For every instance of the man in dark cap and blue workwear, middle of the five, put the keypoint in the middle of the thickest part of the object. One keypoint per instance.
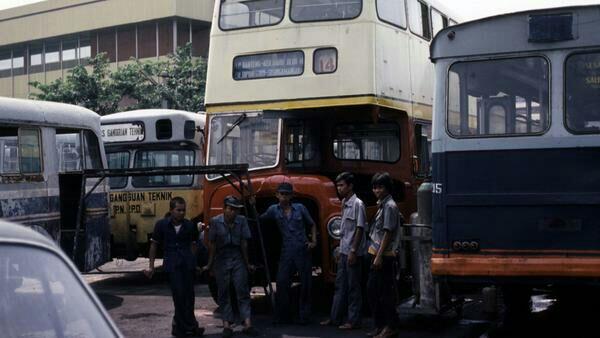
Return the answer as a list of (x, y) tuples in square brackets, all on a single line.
[(292, 219)]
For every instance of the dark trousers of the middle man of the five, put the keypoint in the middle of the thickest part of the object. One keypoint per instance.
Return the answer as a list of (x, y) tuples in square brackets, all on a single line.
[(292, 261)]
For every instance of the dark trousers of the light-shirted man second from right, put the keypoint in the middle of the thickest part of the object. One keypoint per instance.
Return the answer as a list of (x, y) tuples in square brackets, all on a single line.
[(347, 300)]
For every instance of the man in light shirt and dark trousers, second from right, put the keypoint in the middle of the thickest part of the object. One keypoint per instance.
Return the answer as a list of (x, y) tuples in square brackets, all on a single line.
[(347, 300)]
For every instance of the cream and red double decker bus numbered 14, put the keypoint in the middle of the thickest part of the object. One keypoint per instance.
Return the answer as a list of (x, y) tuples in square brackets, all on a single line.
[(302, 90)]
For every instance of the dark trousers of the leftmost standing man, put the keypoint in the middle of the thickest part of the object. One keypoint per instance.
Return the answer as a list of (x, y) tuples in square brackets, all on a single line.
[(181, 281)]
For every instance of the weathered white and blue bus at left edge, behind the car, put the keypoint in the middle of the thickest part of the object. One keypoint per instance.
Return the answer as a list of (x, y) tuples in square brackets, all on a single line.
[(38, 141)]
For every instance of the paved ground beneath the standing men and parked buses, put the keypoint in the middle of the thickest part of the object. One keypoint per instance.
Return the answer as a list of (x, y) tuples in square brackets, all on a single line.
[(143, 308)]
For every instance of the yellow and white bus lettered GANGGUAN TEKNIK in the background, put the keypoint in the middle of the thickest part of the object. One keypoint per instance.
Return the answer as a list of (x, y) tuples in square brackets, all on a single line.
[(148, 139)]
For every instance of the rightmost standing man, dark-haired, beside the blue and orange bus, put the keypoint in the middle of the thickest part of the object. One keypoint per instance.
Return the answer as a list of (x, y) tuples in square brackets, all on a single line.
[(382, 247)]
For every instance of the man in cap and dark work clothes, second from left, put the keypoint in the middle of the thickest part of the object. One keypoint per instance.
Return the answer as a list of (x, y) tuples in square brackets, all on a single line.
[(228, 237)]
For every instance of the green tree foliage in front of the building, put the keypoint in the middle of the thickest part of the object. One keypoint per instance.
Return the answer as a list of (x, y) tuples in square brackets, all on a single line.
[(179, 81)]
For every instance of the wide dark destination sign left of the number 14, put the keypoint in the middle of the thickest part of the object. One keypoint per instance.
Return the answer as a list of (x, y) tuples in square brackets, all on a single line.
[(260, 66)]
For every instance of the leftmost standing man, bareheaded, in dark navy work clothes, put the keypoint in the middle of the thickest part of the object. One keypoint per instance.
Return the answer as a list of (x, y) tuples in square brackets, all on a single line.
[(178, 237)]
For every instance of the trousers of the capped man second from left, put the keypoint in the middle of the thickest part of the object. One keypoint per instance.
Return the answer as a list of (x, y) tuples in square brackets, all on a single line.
[(237, 273)]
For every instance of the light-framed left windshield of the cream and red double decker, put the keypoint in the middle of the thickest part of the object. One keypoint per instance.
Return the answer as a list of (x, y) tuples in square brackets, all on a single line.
[(251, 140)]
